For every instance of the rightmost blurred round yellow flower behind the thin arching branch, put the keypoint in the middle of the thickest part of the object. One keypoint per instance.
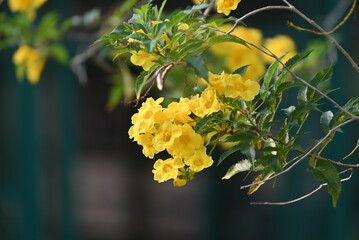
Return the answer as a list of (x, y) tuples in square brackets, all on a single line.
[(279, 45)]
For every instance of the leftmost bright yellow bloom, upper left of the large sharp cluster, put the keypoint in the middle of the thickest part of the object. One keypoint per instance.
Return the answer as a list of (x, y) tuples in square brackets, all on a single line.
[(149, 114)]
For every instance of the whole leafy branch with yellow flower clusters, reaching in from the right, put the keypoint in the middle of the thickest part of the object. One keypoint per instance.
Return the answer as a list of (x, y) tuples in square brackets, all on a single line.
[(237, 104)]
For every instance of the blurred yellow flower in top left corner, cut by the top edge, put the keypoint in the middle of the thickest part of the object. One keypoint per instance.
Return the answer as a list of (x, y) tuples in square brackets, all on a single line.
[(27, 6)]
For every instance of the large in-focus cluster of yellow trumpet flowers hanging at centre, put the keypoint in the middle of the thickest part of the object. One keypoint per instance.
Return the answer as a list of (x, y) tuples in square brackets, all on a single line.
[(156, 129)]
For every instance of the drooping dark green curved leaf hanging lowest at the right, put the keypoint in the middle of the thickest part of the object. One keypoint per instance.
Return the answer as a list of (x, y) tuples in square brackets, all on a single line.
[(325, 171)]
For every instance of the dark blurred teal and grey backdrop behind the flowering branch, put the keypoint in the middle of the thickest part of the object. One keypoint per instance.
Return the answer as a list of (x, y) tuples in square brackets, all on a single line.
[(69, 171)]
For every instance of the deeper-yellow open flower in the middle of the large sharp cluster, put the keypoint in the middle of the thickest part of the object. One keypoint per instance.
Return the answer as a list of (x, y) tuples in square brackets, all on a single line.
[(186, 143)]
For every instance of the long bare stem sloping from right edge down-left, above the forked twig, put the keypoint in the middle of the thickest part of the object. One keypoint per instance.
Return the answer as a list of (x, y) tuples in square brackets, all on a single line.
[(303, 157)]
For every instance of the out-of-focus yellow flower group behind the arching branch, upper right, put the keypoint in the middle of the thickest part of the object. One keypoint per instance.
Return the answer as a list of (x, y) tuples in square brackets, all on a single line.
[(238, 55)]
